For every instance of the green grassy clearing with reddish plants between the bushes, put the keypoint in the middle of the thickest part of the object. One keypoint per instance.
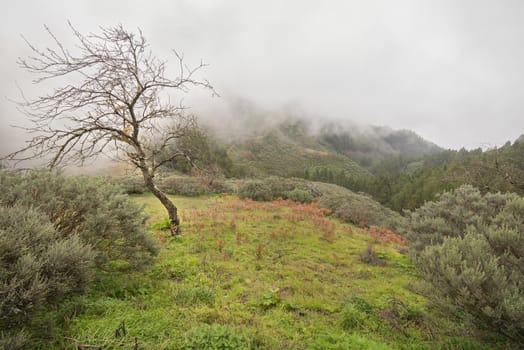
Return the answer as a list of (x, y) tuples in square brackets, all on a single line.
[(275, 275)]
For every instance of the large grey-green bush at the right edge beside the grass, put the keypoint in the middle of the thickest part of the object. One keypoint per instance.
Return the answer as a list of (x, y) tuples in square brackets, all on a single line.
[(476, 260)]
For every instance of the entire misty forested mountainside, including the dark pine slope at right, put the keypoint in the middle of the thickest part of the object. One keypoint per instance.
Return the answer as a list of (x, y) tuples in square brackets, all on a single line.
[(397, 167)]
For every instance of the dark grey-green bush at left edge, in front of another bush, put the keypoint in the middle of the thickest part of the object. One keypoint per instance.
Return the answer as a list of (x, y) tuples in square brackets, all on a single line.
[(37, 267)]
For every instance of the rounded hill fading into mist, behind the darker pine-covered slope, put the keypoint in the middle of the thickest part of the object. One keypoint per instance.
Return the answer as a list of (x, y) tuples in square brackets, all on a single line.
[(327, 152)]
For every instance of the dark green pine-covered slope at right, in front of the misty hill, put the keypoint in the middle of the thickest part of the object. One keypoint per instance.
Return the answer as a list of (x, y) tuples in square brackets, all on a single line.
[(401, 184)]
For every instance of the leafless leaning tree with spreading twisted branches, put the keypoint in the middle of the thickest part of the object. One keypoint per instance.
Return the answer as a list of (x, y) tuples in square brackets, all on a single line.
[(113, 98)]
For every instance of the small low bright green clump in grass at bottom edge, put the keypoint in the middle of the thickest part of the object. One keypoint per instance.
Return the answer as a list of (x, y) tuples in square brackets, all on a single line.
[(217, 337)]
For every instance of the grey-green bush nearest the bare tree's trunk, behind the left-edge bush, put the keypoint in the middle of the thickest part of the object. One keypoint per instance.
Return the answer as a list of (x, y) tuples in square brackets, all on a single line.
[(95, 210)]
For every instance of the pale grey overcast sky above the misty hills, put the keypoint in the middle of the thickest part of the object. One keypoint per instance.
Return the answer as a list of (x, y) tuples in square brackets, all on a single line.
[(452, 71)]
